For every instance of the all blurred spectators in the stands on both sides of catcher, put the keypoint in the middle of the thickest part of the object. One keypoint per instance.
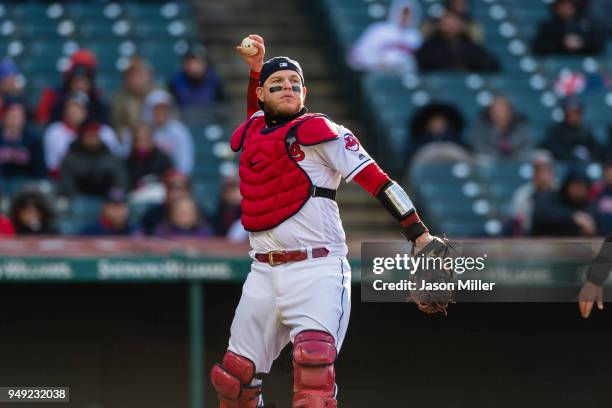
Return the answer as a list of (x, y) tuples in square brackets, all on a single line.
[(131, 145)]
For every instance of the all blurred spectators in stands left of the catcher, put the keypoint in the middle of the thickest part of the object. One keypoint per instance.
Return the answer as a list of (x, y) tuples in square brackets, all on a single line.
[(121, 147)]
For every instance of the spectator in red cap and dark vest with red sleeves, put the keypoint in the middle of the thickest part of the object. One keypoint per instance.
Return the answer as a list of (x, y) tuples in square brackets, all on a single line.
[(80, 76)]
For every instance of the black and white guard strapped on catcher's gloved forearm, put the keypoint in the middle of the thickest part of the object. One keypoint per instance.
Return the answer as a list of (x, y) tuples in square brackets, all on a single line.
[(393, 197)]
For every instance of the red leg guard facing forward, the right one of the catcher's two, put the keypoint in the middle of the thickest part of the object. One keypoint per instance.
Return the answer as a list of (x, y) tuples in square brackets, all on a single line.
[(314, 377)]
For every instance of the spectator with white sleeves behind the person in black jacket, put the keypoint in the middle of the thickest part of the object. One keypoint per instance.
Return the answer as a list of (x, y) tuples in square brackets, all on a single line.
[(59, 135)]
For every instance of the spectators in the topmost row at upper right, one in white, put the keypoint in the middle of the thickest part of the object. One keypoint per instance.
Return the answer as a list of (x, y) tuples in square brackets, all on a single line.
[(453, 41)]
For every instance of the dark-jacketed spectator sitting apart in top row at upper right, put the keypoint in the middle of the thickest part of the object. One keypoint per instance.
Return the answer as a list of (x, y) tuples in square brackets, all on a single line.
[(566, 32)]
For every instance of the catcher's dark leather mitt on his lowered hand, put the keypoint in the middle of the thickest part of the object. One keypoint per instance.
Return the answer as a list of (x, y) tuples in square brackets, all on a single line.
[(432, 294)]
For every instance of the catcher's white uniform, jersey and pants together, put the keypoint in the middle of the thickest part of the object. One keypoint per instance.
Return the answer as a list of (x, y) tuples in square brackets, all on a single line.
[(278, 302)]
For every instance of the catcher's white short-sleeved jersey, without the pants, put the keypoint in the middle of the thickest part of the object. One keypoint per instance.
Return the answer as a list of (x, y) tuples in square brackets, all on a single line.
[(318, 222)]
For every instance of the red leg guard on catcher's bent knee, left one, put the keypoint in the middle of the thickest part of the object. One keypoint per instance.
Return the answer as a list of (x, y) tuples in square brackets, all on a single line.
[(232, 380)]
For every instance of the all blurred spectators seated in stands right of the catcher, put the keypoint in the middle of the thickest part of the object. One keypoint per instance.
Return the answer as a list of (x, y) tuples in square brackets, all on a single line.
[(554, 203)]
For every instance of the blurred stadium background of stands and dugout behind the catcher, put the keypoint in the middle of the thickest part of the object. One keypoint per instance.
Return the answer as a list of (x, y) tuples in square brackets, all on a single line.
[(115, 118)]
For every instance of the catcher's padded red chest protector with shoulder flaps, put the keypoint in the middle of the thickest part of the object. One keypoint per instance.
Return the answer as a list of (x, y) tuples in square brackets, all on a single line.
[(273, 186)]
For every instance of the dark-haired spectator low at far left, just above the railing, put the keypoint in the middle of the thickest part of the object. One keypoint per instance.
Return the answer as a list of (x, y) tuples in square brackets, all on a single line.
[(32, 214)]
